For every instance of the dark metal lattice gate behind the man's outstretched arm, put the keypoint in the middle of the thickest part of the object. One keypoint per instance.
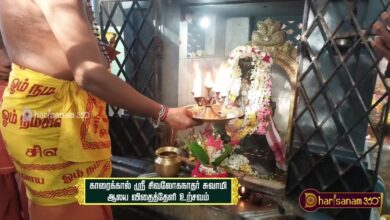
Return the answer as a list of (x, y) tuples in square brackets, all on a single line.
[(135, 23)]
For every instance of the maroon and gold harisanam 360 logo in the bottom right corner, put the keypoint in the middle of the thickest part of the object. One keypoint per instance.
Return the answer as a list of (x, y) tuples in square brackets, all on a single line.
[(311, 200)]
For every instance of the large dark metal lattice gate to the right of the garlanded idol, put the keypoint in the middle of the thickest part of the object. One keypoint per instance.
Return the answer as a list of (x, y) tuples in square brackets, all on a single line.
[(336, 80)]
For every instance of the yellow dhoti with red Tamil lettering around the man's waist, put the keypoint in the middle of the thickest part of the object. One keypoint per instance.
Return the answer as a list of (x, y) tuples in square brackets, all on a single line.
[(55, 133)]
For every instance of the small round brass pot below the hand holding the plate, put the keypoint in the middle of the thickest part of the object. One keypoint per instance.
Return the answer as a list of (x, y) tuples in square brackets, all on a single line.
[(167, 162)]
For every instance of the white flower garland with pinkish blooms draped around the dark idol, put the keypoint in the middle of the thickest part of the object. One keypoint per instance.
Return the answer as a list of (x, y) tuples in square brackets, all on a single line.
[(258, 110)]
